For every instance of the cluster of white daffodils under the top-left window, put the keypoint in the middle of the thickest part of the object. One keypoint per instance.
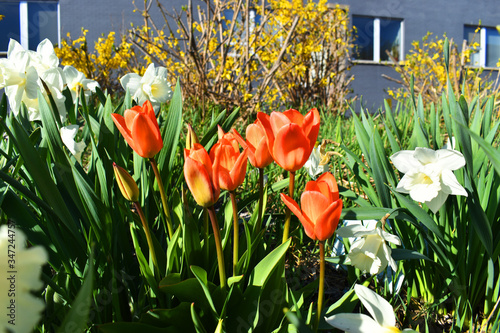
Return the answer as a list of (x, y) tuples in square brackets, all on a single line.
[(22, 73)]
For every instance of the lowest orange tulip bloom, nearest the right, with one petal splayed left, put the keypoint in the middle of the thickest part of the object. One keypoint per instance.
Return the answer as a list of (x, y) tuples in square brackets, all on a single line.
[(320, 207)]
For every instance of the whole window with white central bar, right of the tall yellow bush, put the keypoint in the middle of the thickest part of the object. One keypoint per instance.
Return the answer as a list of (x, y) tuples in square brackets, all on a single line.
[(378, 36)]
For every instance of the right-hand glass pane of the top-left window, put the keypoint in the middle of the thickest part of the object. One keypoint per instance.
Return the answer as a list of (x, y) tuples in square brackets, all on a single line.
[(42, 23)]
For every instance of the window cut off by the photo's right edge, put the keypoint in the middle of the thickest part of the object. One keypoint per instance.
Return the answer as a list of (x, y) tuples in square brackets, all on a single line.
[(488, 45)]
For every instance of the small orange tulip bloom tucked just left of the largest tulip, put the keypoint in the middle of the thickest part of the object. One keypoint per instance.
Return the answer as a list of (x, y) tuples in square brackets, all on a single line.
[(258, 153)]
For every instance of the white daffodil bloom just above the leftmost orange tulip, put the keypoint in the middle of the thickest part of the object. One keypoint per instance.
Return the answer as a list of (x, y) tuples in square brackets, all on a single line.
[(153, 86)]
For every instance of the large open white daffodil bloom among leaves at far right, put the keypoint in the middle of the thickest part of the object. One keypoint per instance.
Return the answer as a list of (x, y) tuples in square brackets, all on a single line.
[(429, 175)]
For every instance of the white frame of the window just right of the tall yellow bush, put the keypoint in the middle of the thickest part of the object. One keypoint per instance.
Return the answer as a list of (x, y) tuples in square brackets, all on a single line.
[(377, 39)]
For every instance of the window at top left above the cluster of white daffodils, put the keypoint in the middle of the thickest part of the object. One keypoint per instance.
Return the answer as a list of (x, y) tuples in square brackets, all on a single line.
[(28, 22)]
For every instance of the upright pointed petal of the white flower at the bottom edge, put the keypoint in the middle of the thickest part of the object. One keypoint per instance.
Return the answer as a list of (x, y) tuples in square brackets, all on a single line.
[(378, 307)]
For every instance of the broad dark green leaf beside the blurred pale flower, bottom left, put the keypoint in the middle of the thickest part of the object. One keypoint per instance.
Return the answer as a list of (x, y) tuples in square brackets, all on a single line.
[(77, 318)]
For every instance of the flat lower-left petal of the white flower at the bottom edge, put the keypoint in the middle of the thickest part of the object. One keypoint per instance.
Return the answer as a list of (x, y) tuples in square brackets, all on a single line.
[(355, 323)]
